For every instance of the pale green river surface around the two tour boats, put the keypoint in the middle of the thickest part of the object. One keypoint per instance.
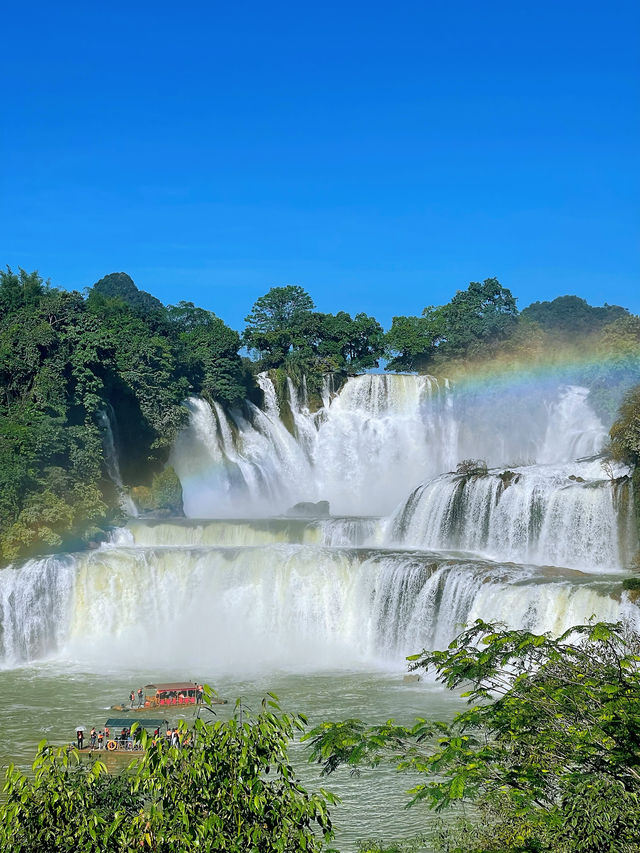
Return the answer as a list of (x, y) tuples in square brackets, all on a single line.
[(49, 700)]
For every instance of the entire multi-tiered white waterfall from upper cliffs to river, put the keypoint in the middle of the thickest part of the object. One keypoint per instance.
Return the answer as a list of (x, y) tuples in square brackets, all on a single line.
[(234, 587)]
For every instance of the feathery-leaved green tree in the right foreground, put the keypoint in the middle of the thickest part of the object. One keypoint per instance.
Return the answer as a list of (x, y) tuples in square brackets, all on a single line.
[(548, 753)]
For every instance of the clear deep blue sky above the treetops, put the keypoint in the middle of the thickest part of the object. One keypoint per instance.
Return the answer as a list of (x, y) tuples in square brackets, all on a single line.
[(380, 154)]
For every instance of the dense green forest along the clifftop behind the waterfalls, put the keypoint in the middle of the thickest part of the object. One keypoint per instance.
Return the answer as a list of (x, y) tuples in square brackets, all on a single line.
[(72, 362)]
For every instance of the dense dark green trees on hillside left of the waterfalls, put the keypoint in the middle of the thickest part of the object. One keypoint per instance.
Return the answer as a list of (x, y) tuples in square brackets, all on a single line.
[(63, 360)]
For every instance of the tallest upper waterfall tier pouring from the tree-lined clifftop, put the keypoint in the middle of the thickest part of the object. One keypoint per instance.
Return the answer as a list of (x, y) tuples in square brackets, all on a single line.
[(369, 445)]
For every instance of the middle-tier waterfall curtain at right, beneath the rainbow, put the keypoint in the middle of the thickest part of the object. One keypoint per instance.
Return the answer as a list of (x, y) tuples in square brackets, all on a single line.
[(559, 515)]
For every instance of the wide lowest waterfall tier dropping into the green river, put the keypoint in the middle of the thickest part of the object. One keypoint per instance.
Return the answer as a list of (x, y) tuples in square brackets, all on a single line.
[(283, 605)]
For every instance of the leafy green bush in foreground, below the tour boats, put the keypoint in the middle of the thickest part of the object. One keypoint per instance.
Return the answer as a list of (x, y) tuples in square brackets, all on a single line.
[(230, 787)]
